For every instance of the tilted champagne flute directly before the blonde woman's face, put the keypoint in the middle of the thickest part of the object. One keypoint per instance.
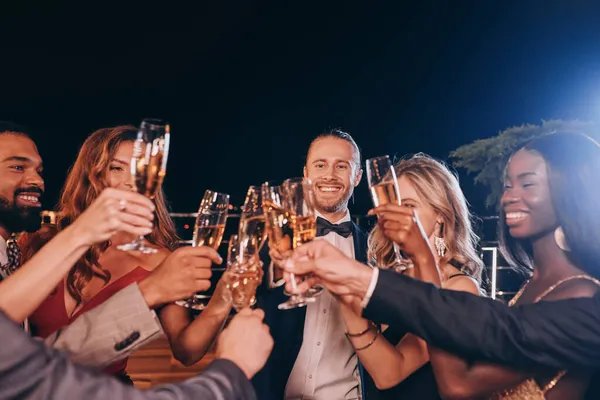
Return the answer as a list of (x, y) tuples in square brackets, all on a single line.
[(384, 189)]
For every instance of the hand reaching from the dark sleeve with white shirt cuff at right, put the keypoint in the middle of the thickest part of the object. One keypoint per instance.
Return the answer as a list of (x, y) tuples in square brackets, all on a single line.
[(330, 267)]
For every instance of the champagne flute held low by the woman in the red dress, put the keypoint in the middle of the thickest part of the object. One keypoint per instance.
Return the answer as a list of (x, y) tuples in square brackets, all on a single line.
[(244, 271)]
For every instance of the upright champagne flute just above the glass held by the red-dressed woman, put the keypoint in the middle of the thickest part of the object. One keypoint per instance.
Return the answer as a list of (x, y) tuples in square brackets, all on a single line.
[(252, 221)]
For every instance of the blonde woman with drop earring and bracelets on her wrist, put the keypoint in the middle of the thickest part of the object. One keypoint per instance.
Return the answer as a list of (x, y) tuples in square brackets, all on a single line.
[(397, 362)]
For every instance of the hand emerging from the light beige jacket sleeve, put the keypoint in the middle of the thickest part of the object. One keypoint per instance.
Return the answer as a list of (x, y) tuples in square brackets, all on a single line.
[(185, 272)]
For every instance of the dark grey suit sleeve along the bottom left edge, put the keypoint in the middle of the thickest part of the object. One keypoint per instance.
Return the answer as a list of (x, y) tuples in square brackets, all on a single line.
[(30, 370)]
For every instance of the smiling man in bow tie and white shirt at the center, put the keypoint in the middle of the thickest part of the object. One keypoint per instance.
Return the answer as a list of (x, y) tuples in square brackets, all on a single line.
[(311, 356)]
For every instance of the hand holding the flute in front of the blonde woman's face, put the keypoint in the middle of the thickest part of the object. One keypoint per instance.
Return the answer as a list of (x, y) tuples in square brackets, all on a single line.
[(401, 225)]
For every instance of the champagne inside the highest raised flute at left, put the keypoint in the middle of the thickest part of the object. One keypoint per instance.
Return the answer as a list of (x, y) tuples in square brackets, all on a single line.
[(149, 165)]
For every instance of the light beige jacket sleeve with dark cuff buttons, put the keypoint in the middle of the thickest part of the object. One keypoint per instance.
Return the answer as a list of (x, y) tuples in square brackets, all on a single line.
[(109, 332)]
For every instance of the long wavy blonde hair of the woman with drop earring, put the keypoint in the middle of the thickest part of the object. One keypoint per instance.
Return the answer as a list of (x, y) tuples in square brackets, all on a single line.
[(439, 187)]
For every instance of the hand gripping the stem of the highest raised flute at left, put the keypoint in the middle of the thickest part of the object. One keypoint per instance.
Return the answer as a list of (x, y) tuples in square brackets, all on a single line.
[(114, 211)]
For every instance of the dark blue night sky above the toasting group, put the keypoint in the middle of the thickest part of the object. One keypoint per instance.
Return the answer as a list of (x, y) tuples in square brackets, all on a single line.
[(246, 85)]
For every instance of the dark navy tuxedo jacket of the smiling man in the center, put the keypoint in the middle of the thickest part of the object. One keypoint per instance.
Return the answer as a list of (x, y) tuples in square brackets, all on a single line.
[(287, 329)]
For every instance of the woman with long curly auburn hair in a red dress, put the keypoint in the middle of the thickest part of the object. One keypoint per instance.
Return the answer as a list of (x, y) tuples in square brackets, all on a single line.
[(103, 161)]
